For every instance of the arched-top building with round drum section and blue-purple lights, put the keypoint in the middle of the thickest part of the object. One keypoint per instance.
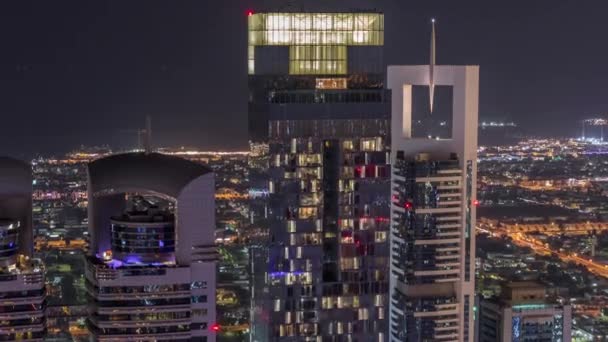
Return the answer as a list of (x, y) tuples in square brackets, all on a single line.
[(151, 271)]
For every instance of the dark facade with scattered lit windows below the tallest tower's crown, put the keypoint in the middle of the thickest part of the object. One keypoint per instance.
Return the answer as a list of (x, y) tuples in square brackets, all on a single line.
[(329, 223)]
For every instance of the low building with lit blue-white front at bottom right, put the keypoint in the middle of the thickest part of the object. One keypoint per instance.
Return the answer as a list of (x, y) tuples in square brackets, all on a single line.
[(522, 313)]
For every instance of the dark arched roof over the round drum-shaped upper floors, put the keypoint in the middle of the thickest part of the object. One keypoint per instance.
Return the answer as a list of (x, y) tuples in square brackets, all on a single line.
[(156, 172)]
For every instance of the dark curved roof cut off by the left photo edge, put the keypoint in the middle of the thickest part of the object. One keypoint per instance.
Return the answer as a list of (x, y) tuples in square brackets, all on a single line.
[(15, 175)]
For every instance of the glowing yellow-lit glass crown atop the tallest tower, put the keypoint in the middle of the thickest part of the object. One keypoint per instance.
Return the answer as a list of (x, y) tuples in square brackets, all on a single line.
[(317, 41)]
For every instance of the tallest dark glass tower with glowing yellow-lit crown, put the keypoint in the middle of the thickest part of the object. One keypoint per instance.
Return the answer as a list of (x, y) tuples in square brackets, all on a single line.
[(318, 101)]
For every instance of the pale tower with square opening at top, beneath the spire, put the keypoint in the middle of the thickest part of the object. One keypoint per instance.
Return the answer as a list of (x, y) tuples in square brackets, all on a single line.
[(433, 210)]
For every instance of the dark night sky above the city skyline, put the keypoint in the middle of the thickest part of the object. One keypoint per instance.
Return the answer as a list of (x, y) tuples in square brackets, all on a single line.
[(83, 72)]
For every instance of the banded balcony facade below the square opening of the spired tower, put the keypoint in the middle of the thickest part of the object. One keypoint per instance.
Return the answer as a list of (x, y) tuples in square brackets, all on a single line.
[(426, 248)]
